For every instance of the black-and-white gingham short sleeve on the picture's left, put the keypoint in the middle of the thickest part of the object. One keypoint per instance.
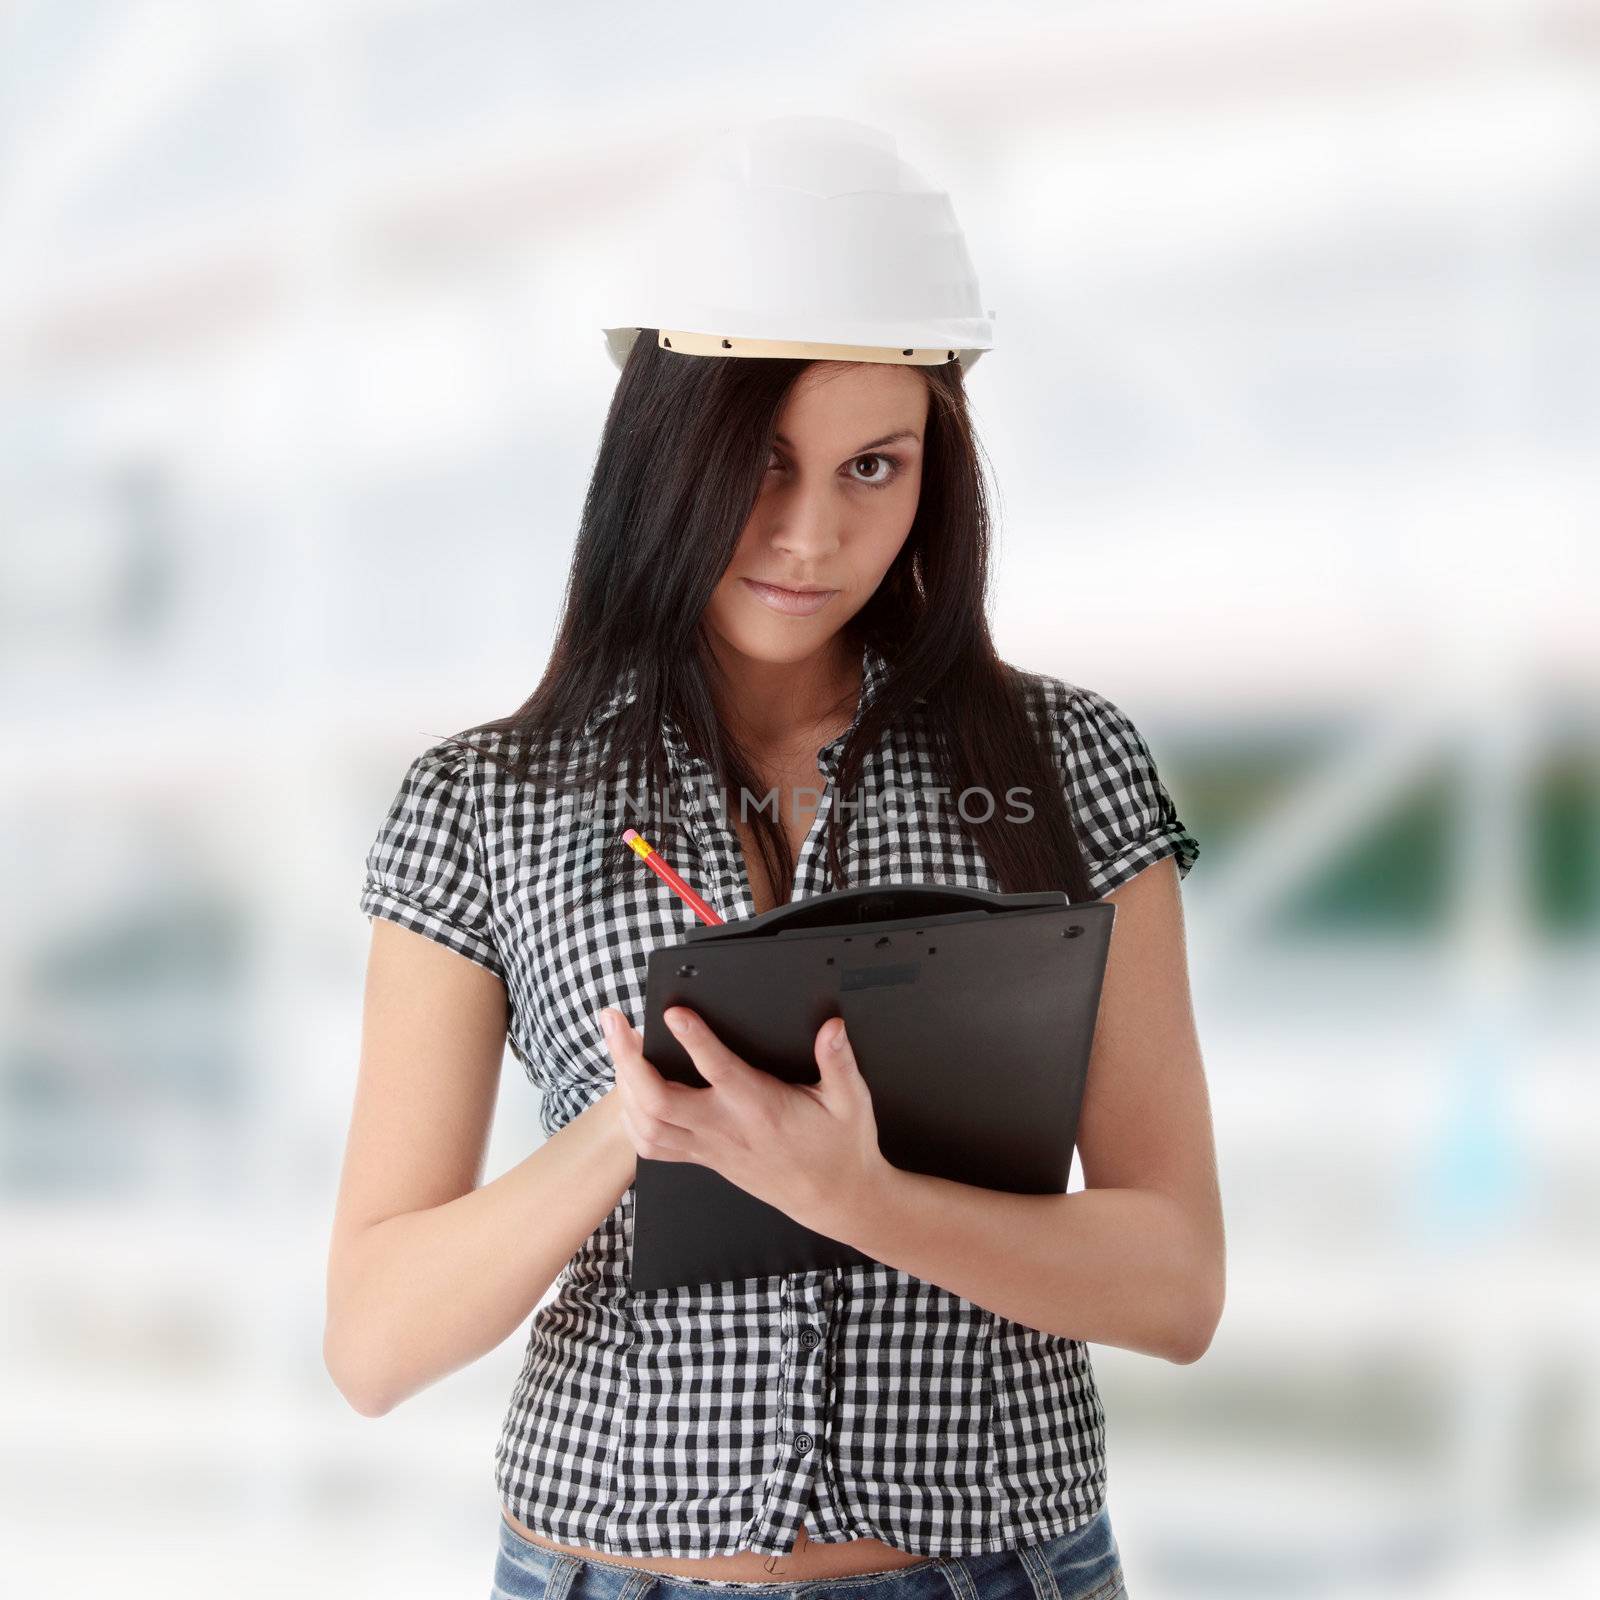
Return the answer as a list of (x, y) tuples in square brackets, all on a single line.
[(425, 870)]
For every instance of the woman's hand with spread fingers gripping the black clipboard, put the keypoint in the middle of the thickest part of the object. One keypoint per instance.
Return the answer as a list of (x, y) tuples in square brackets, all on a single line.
[(809, 1150)]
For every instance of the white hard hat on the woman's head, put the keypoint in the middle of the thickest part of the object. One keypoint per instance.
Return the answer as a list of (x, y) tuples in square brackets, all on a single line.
[(804, 238)]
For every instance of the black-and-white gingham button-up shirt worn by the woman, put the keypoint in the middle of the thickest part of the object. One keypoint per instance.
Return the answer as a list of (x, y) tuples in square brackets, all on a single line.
[(705, 1420)]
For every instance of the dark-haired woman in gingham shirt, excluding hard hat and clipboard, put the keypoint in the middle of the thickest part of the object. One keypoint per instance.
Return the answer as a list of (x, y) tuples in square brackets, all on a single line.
[(777, 588)]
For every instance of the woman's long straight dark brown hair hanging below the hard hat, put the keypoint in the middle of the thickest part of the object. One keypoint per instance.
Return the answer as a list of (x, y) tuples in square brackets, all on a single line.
[(678, 474)]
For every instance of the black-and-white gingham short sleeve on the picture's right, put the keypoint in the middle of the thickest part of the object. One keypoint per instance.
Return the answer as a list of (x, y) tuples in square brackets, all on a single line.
[(1124, 814)]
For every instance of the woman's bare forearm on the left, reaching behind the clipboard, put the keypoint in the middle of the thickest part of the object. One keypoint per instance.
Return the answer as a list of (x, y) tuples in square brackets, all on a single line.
[(425, 1294)]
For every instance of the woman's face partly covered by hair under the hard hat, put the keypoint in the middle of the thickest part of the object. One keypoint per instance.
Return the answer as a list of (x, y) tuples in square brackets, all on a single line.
[(834, 510)]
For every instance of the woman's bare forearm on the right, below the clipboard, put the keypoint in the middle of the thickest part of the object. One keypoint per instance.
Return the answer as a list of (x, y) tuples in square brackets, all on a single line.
[(1111, 1266)]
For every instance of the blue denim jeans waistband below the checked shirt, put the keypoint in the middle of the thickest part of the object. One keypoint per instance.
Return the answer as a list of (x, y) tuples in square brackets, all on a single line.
[(1081, 1566)]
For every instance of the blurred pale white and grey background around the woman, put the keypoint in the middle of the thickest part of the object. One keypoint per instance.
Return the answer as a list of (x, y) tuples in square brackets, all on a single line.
[(1294, 414)]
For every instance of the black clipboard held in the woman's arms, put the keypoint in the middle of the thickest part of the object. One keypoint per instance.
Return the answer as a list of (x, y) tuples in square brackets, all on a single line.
[(972, 1015)]
